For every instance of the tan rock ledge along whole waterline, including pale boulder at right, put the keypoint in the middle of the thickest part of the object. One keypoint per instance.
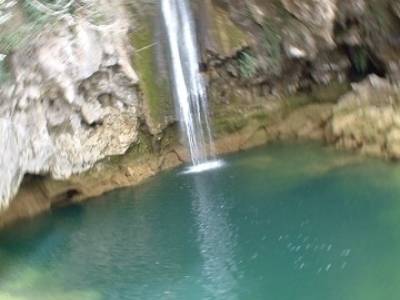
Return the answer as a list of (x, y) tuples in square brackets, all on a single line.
[(365, 119)]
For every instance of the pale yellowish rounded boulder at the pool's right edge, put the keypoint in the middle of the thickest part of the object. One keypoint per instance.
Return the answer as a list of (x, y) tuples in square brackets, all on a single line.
[(368, 119)]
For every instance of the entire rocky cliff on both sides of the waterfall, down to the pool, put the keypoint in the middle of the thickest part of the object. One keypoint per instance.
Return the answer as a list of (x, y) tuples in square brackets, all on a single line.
[(76, 113)]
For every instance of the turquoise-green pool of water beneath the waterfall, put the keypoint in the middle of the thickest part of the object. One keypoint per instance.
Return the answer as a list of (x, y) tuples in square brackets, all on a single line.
[(283, 222)]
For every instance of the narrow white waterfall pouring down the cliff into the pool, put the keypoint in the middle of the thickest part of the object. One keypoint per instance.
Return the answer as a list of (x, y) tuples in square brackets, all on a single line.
[(188, 83)]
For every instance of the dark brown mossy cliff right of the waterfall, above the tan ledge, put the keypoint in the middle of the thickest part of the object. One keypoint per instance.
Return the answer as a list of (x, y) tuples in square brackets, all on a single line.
[(287, 46)]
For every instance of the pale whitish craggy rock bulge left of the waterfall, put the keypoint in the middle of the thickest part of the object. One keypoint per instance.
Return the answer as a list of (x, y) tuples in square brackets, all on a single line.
[(72, 101)]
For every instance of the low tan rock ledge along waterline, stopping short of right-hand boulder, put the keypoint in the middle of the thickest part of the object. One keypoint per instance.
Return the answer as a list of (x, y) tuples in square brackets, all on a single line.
[(41, 194)]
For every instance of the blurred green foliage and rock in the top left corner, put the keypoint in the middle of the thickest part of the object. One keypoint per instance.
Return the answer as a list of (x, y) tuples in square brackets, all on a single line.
[(25, 21)]
